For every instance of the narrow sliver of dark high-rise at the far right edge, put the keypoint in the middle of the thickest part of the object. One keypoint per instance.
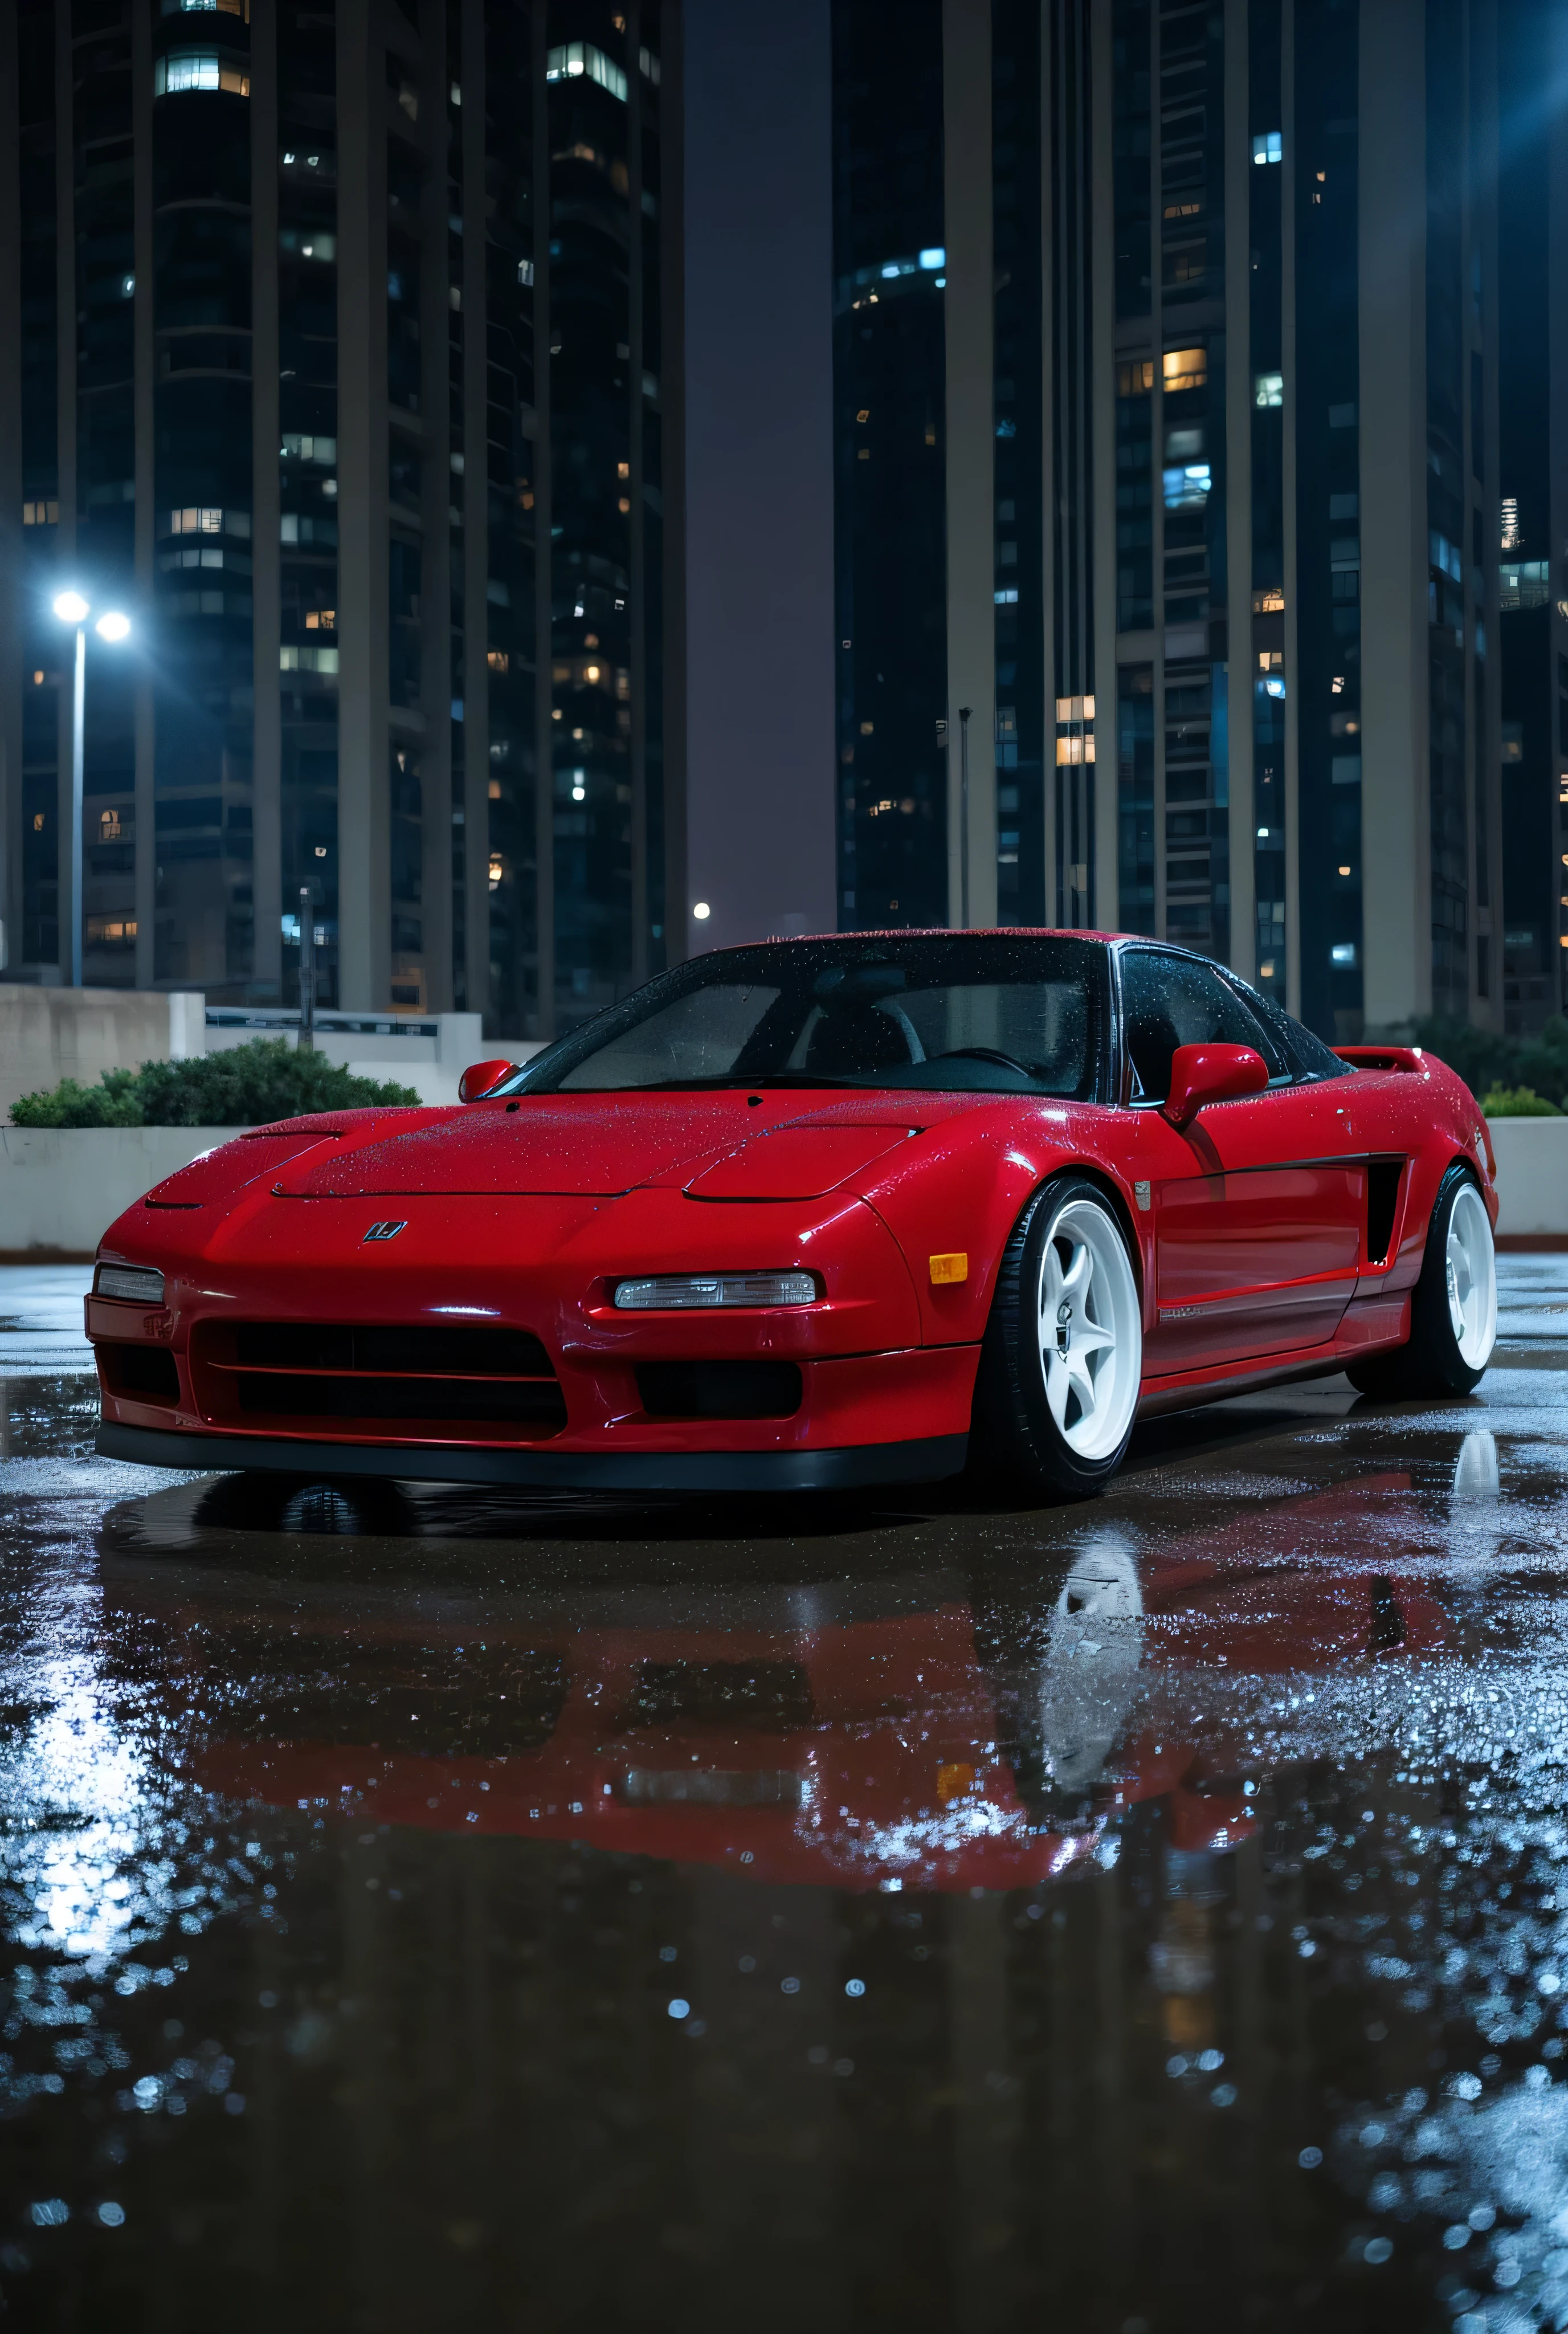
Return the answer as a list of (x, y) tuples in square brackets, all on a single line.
[(1534, 515)]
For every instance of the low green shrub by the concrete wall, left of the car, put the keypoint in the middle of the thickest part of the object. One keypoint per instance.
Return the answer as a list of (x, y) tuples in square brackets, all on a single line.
[(237, 1089)]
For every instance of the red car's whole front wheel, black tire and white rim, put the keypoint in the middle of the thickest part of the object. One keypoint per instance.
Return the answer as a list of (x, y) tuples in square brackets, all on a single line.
[(1016, 1434)]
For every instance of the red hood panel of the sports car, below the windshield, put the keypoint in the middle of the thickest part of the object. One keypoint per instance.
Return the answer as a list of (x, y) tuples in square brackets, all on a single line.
[(587, 1147)]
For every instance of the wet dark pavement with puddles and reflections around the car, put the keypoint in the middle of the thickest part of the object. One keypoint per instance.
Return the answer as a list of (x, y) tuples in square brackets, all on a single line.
[(435, 1910)]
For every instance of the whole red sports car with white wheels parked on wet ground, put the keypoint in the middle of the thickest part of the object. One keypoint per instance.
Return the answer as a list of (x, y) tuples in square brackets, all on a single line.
[(815, 1215)]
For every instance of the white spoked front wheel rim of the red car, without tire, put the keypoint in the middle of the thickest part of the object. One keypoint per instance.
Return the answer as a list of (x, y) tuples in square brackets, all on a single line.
[(1091, 1329)]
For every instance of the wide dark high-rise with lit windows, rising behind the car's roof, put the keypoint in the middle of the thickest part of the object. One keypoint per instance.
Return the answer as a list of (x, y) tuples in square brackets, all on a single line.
[(1168, 447)]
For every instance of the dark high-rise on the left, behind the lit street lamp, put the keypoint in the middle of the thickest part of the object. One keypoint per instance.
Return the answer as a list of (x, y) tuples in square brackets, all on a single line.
[(332, 349)]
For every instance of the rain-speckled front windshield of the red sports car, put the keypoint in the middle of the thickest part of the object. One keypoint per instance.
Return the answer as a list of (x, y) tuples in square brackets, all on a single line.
[(969, 1014)]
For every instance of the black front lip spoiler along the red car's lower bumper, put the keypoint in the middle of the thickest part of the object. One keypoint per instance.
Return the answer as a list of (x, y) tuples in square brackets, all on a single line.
[(549, 1472)]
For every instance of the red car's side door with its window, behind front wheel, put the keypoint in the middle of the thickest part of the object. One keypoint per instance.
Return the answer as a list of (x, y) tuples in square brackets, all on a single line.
[(1261, 1203)]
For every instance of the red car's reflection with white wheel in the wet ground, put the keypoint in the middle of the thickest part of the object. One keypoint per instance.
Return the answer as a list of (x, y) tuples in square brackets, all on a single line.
[(897, 1733)]
